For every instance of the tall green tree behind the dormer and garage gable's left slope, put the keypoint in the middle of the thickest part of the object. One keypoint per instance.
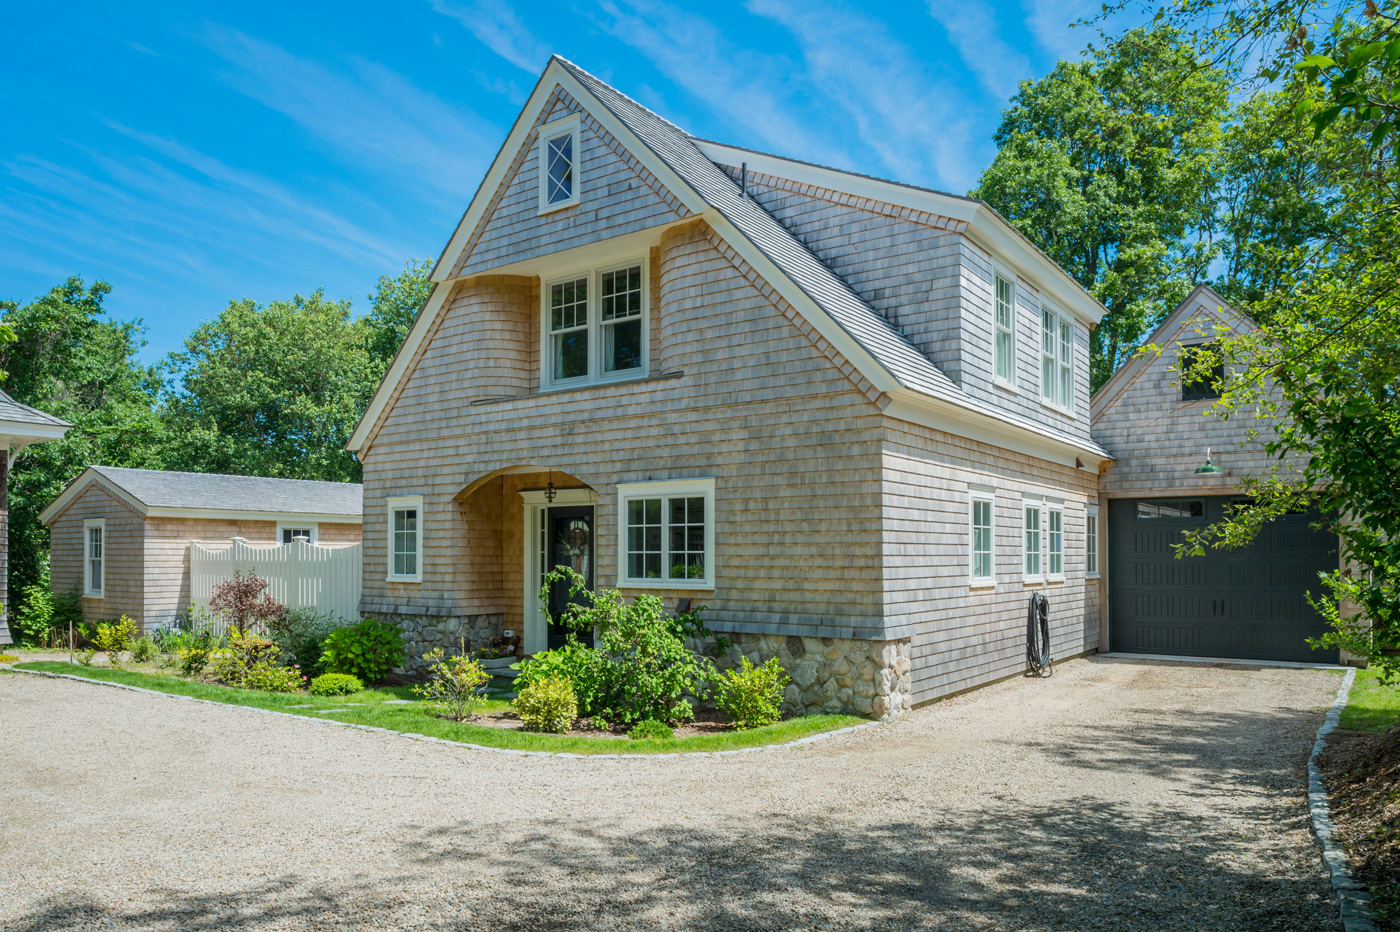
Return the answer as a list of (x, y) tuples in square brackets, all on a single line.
[(1109, 164)]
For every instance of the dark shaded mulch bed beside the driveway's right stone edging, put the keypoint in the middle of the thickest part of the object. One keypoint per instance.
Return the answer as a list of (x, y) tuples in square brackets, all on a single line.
[(1363, 775)]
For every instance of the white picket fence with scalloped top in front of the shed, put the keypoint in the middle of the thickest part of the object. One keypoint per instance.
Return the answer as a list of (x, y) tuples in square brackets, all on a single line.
[(300, 576)]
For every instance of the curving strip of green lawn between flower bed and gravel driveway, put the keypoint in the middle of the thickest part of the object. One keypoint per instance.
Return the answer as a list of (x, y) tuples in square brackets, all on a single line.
[(369, 709)]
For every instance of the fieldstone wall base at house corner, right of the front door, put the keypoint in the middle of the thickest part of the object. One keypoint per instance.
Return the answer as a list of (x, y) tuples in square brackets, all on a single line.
[(834, 675)]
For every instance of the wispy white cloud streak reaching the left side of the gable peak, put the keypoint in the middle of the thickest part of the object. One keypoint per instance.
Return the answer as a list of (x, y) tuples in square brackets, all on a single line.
[(363, 111)]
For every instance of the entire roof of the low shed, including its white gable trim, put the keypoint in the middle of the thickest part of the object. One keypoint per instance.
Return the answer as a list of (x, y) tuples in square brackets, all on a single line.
[(167, 495)]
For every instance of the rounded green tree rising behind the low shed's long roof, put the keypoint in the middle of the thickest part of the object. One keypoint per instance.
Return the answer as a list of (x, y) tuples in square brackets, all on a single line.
[(271, 391)]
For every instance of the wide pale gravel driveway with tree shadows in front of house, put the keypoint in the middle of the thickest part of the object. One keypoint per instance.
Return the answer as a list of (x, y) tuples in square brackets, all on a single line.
[(1116, 796)]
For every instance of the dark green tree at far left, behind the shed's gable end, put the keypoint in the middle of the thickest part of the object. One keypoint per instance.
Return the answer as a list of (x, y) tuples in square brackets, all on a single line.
[(71, 360)]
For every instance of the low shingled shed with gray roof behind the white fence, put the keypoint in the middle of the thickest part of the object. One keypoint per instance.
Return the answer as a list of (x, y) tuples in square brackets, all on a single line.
[(122, 537)]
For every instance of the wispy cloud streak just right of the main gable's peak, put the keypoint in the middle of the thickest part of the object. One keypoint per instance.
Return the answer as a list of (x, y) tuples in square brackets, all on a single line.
[(743, 86)]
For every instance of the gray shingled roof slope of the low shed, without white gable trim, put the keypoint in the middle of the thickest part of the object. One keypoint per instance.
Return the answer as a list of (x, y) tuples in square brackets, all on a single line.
[(156, 489)]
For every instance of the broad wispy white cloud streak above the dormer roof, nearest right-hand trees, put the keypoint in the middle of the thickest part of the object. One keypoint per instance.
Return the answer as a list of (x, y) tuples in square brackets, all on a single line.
[(915, 124)]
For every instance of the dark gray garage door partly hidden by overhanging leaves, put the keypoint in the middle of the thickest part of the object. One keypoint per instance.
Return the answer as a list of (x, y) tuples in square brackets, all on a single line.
[(1241, 604)]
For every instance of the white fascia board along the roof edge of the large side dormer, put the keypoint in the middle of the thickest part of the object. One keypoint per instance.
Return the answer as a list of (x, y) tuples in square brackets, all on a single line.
[(989, 229)]
